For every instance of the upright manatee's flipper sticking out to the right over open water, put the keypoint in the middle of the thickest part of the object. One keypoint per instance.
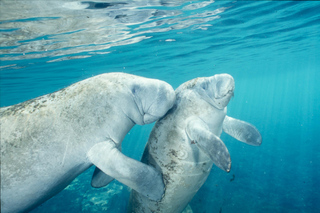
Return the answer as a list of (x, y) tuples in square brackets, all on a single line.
[(242, 131)]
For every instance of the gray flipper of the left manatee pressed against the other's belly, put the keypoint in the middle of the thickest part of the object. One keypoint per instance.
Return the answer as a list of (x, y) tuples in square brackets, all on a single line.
[(138, 176)]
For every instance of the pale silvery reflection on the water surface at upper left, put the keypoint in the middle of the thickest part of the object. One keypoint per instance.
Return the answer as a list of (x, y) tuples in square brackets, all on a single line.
[(36, 29)]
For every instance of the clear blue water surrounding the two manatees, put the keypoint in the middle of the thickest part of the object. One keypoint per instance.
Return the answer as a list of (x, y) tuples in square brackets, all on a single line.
[(271, 48)]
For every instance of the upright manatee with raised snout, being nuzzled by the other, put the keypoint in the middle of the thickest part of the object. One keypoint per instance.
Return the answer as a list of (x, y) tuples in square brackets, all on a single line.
[(186, 143)]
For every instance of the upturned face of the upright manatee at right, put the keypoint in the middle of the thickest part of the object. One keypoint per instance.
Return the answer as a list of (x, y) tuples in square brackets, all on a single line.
[(216, 90)]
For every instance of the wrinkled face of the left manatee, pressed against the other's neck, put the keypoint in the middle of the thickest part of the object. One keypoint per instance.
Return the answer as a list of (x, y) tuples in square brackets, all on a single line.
[(153, 98)]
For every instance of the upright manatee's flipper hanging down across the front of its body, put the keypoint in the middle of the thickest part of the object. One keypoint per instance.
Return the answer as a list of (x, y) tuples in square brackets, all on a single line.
[(209, 143)]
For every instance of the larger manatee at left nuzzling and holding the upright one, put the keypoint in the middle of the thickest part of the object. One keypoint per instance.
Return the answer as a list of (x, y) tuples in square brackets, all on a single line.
[(48, 141)]
